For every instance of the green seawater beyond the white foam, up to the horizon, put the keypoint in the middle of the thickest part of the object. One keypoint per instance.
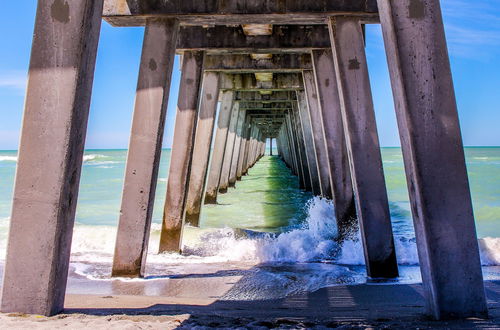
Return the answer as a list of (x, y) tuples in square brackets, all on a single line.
[(268, 200)]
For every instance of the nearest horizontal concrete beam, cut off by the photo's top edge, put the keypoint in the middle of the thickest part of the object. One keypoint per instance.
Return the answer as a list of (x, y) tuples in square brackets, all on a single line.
[(207, 12)]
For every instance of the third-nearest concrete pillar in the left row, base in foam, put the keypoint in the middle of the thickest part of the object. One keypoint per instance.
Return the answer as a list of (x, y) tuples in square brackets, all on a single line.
[(182, 152)]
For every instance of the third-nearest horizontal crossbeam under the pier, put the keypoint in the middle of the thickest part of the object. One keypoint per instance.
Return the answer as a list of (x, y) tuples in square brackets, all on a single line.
[(242, 63)]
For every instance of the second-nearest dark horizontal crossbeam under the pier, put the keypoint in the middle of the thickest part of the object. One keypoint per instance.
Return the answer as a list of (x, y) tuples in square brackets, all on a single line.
[(226, 39)]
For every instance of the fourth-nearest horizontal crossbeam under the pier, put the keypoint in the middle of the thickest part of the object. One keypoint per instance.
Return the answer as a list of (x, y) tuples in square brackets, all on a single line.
[(247, 82)]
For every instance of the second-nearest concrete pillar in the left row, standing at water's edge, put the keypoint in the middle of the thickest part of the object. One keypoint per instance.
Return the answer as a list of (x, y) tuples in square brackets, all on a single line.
[(143, 159)]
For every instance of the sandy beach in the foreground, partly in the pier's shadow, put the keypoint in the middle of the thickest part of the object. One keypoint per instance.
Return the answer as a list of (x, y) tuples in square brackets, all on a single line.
[(348, 306)]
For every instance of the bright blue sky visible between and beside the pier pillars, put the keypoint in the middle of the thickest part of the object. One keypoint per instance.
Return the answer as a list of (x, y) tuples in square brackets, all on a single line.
[(472, 30)]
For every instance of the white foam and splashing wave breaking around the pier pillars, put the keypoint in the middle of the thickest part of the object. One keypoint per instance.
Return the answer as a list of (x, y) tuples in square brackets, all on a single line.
[(313, 241)]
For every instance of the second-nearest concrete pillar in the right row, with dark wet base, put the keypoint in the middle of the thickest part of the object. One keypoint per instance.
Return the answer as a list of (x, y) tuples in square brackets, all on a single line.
[(363, 147)]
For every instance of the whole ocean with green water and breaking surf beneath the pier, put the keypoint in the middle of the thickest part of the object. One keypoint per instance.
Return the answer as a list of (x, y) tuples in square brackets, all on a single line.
[(279, 239)]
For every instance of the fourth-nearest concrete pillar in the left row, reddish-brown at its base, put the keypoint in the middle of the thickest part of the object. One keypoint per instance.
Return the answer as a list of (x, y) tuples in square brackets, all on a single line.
[(202, 144)]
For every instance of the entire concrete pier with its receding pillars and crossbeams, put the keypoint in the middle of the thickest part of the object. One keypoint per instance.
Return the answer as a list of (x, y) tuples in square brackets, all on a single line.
[(290, 70)]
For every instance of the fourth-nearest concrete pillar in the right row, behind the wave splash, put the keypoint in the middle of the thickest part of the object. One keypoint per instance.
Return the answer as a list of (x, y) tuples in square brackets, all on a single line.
[(318, 133)]
